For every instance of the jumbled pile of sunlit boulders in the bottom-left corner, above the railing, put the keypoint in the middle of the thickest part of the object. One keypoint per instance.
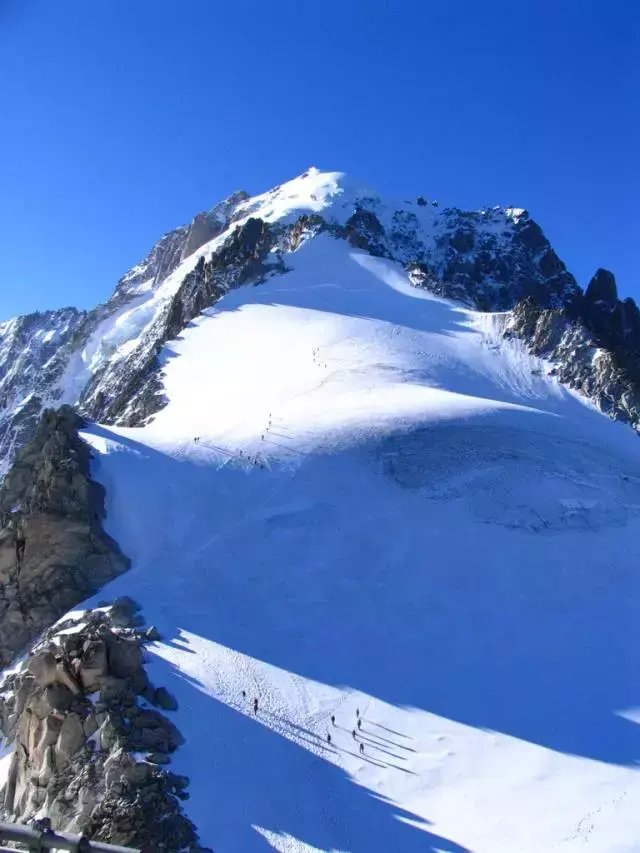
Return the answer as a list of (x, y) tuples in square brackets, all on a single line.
[(89, 752)]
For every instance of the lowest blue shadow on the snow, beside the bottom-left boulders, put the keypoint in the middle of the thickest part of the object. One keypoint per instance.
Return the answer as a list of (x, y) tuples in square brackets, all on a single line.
[(332, 814)]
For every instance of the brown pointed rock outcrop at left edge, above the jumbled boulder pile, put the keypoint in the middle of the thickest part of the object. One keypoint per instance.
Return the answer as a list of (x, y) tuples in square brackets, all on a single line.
[(49, 500)]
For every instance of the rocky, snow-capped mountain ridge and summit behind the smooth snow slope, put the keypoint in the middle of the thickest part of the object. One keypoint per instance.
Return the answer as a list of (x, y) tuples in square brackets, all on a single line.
[(106, 361)]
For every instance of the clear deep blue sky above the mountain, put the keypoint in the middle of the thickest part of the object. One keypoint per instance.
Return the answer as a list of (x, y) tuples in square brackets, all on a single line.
[(121, 119)]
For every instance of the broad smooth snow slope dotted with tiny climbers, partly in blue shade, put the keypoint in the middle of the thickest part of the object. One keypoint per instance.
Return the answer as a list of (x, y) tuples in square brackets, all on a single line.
[(431, 532)]
